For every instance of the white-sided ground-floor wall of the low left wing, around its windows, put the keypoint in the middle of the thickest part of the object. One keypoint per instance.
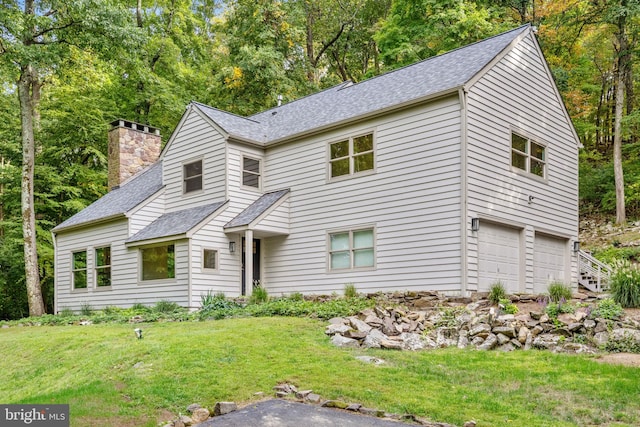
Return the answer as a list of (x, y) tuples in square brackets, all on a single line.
[(126, 289)]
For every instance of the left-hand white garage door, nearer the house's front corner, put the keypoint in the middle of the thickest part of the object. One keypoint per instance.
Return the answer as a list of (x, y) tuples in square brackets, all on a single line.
[(498, 257)]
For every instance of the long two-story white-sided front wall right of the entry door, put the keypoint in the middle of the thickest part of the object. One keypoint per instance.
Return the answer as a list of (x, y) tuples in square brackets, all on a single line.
[(412, 200)]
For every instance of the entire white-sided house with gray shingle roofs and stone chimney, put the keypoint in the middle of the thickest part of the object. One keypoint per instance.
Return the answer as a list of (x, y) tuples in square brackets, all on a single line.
[(449, 174)]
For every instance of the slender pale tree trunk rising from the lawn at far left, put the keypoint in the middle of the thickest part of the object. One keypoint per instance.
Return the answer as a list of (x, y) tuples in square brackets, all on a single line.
[(27, 84)]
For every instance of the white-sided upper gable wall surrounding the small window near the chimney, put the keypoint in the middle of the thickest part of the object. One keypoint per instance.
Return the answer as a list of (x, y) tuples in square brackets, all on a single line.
[(195, 139)]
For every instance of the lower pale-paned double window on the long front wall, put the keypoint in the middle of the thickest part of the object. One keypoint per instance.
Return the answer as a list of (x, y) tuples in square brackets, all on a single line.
[(351, 249)]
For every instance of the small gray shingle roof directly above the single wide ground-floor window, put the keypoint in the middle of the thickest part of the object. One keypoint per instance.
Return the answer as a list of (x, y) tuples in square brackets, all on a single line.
[(175, 223)]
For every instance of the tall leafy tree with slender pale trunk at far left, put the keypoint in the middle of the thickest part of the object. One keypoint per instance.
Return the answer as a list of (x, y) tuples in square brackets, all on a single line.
[(34, 39)]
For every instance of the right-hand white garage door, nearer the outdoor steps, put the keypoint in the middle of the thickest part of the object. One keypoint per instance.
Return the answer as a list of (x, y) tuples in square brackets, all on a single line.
[(548, 261)]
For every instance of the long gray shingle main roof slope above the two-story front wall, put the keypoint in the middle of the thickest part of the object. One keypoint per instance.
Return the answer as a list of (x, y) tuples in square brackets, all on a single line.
[(347, 101)]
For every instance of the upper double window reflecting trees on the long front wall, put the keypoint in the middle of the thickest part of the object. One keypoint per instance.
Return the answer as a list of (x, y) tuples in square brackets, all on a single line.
[(351, 156)]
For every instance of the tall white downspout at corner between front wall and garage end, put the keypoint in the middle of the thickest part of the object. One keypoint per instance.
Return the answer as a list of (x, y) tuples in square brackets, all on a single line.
[(464, 267)]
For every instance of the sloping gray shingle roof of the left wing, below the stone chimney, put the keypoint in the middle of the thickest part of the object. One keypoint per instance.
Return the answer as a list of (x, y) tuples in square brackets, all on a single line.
[(120, 200)]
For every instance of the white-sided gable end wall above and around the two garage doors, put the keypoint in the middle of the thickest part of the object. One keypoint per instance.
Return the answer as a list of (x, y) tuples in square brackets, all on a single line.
[(517, 95)]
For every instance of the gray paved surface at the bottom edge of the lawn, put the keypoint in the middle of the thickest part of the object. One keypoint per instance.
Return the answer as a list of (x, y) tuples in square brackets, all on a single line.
[(283, 413)]
